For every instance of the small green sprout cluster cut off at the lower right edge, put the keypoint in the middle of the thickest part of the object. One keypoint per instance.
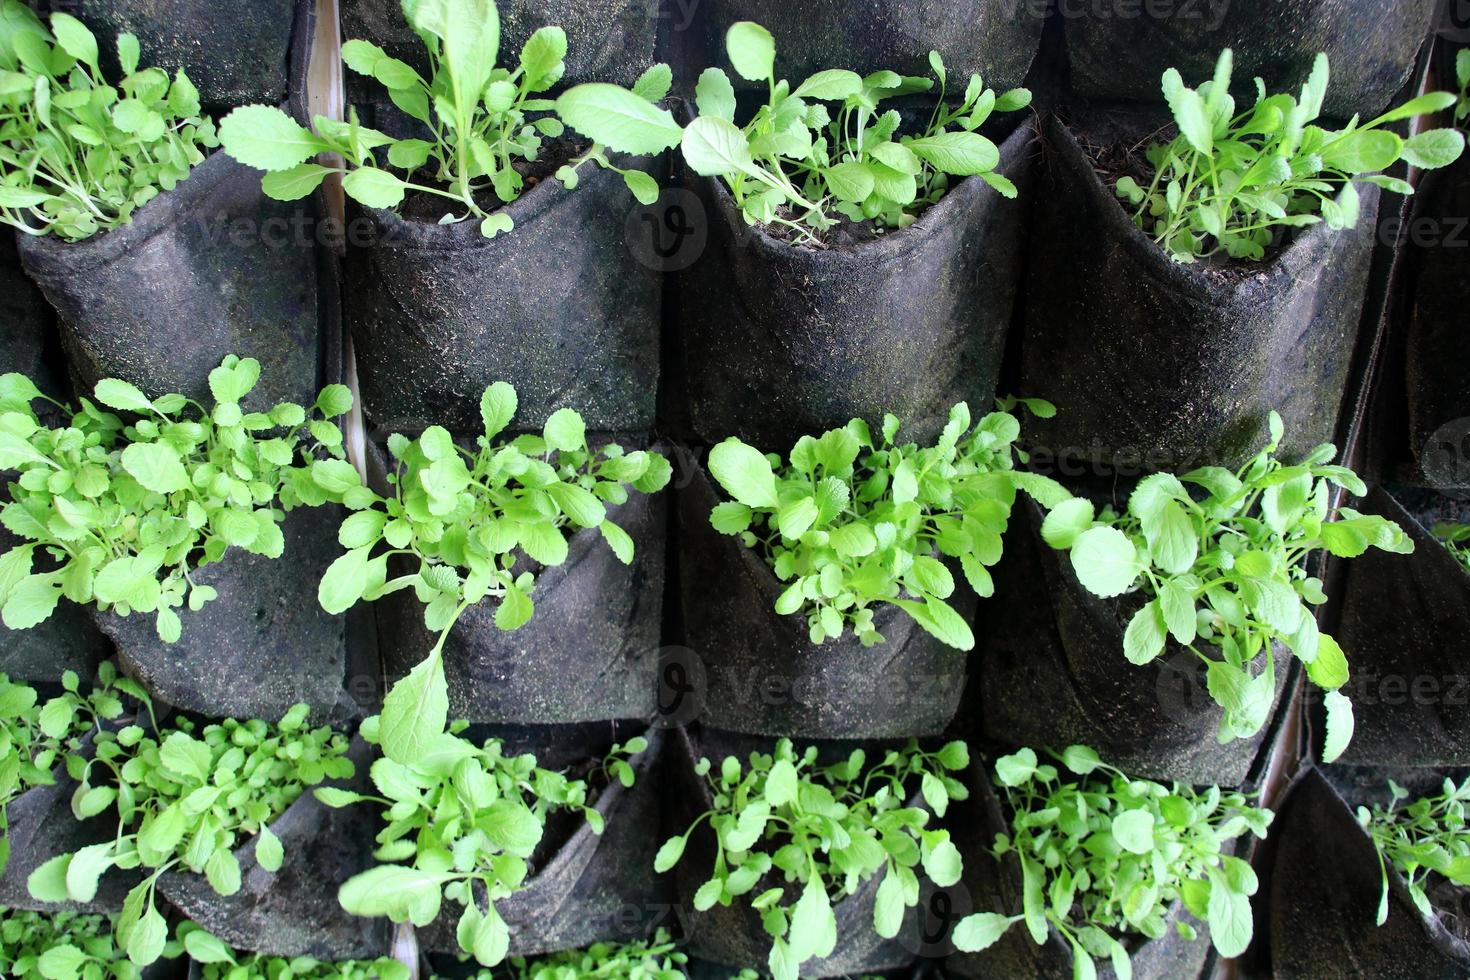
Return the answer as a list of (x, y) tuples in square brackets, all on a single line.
[(1427, 843)]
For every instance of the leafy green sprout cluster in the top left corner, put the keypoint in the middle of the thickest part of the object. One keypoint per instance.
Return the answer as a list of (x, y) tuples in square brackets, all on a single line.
[(77, 154)]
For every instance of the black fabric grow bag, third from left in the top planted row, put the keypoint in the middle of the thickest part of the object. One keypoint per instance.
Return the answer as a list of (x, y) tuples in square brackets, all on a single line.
[(781, 342)]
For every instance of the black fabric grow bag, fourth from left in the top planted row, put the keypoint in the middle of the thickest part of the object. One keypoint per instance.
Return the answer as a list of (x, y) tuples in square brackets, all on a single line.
[(1168, 365)]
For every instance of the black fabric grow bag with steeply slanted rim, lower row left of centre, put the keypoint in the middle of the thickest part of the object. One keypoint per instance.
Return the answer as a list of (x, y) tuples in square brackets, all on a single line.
[(595, 888)]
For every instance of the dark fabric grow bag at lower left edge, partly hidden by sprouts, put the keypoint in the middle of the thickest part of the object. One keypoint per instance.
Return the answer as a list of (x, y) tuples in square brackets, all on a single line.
[(42, 828)]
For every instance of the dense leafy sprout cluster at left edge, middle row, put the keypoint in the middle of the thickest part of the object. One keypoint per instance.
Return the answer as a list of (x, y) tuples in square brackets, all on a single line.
[(121, 514)]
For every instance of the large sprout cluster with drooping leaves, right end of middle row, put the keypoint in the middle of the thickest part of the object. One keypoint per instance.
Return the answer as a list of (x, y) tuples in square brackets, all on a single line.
[(1219, 561)]
